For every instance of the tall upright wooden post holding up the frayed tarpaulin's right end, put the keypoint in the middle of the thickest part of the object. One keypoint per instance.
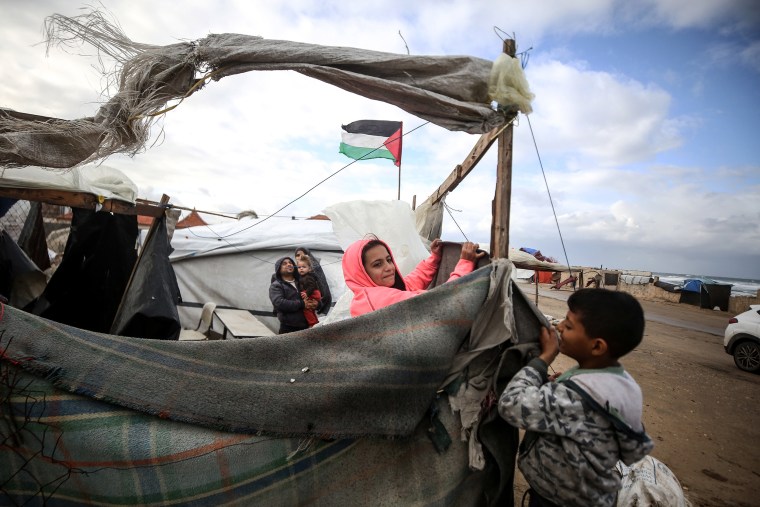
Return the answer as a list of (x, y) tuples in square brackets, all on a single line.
[(503, 195)]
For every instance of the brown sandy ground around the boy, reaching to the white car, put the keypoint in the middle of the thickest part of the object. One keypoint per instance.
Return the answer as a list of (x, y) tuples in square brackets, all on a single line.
[(701, 411)]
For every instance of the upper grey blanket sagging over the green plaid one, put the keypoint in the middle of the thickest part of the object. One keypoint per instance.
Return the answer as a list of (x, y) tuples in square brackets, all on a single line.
[(372, 375)]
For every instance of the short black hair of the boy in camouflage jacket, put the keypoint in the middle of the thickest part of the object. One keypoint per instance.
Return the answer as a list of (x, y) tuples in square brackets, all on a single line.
[(615, 317)]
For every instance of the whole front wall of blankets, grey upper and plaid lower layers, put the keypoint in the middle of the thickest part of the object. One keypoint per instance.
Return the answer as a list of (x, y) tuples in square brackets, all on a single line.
[(274, 420)]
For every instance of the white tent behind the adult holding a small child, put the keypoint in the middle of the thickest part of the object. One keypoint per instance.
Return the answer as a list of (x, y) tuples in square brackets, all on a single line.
[(232, 264)]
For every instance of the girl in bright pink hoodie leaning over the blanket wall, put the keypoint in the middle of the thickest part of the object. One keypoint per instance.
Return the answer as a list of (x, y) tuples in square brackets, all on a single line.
[(373, 277)]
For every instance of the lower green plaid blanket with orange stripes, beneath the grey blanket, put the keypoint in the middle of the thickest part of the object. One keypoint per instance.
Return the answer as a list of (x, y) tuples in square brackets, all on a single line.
[(75, 450)]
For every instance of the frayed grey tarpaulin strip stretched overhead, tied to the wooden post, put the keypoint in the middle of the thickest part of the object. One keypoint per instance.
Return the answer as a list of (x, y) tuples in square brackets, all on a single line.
[(454, 92)]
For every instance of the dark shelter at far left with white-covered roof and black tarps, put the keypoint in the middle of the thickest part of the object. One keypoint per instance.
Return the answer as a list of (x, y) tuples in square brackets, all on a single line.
[(87, 290)]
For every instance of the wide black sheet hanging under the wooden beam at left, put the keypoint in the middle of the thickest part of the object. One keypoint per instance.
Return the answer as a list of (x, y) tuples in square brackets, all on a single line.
[(86, 289)]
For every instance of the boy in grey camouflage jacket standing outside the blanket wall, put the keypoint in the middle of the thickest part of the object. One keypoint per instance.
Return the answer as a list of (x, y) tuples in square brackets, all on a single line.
[(581, 424)]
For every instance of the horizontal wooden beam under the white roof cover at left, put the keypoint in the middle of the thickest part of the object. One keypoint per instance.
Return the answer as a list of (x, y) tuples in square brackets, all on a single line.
[(81, 200)]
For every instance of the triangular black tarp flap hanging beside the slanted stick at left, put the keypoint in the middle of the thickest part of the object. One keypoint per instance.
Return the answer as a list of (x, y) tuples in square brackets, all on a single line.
[(149, 309)]
